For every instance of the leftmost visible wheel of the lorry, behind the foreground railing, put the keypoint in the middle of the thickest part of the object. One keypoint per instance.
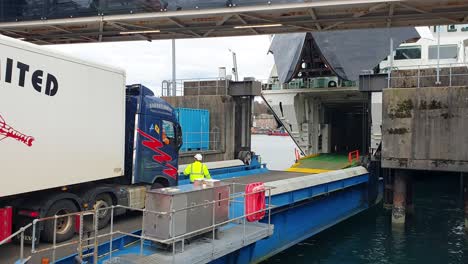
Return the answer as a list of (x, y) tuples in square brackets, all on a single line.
[(65, 225)]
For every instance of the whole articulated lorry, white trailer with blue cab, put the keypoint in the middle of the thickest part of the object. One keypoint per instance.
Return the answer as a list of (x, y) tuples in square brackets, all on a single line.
[(73, 136)]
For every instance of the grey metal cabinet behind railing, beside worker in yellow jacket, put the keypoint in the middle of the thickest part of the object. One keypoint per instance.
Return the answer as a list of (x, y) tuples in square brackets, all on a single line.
[(171, 220)]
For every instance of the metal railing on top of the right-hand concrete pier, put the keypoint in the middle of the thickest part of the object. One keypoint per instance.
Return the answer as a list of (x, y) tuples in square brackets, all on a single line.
[(452, 74)]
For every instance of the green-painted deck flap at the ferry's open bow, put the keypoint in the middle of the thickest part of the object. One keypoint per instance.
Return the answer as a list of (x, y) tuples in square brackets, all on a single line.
[(325, 162)]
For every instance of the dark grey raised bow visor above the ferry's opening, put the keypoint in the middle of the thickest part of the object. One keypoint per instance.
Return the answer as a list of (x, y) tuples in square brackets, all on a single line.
[(342, 53)]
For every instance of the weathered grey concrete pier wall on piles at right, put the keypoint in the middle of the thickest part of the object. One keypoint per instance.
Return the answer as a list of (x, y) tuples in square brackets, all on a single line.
[(425, 128)]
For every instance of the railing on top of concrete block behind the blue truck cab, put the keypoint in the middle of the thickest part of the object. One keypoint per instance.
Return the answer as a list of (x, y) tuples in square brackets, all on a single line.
[(195, 87)]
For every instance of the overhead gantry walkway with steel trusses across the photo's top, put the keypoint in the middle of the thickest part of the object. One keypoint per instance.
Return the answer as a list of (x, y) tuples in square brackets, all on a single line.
[(78, 21)]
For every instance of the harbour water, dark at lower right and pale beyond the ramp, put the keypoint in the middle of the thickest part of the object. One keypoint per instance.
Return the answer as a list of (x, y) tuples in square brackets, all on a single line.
[(432, 234)]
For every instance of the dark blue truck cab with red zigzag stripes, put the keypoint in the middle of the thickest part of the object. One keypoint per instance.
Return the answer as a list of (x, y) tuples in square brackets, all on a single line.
[(153, 138)]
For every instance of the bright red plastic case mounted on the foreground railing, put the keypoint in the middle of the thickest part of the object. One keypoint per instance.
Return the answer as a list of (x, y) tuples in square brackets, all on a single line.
[(255, 201)]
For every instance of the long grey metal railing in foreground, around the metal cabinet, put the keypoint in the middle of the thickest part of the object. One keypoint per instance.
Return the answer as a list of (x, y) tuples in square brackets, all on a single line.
[(88, 248)]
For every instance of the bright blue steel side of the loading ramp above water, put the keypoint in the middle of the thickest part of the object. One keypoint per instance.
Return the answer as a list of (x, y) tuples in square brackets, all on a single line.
[(305, 213)]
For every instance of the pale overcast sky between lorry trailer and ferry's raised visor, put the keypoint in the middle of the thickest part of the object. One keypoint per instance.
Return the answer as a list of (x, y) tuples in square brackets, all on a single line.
[(149, 63)]
